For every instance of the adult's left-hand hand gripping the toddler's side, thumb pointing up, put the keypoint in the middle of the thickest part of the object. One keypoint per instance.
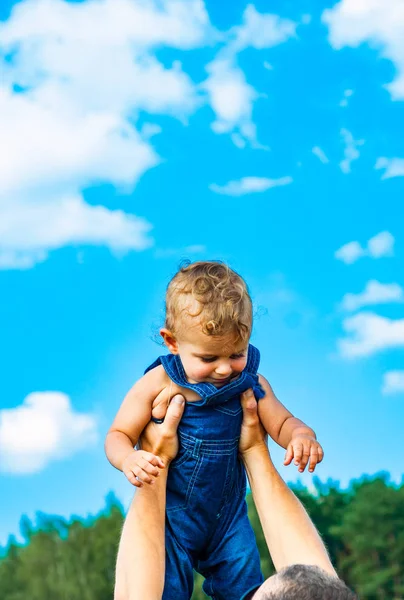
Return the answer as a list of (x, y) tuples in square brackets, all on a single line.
[(161, 439)]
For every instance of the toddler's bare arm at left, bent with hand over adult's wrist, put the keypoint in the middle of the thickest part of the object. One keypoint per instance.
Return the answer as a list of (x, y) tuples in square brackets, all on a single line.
[(132, 417)]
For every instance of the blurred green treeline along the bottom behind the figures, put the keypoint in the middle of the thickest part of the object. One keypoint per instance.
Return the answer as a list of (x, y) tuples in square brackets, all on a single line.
[(363, 528)]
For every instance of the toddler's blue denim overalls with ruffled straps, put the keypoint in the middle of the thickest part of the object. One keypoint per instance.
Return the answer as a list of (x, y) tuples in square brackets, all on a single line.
[(207, 527)]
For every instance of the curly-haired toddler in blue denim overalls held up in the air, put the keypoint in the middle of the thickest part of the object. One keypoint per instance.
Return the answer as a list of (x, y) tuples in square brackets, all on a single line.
[(207, 330)]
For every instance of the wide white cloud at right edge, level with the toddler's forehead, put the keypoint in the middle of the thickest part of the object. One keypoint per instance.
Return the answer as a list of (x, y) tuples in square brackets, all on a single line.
[(368, 333)]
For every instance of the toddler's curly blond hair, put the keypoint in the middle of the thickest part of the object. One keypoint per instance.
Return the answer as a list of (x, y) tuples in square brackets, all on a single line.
[(213, 293)]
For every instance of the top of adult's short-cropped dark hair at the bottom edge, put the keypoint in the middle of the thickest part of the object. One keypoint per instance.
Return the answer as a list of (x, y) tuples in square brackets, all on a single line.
[(307, 582)]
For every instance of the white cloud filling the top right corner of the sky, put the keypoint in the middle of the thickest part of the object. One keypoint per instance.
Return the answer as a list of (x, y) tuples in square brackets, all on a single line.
[(377, 22)]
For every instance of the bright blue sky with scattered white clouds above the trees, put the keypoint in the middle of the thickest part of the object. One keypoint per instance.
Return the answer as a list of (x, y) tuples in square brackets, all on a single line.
[(138, 134)]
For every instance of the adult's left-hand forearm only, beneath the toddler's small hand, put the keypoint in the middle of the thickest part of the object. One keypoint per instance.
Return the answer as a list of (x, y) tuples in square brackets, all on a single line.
[(141, 556)]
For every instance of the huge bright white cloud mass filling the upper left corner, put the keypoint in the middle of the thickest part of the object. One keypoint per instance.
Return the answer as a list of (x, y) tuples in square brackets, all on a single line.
[(86, 70)]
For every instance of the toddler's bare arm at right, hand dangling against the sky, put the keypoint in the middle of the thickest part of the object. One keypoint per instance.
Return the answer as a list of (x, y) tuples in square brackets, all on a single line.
[(288, 431)]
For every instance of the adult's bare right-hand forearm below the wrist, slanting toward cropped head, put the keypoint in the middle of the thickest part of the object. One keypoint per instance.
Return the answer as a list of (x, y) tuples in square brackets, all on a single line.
[(289, 533)]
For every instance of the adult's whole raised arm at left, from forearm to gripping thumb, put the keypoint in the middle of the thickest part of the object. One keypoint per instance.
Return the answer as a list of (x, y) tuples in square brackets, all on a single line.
[(140, 568)]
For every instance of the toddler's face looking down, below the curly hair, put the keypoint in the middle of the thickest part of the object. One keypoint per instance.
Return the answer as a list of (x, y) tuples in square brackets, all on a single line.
[(211, 359)]
